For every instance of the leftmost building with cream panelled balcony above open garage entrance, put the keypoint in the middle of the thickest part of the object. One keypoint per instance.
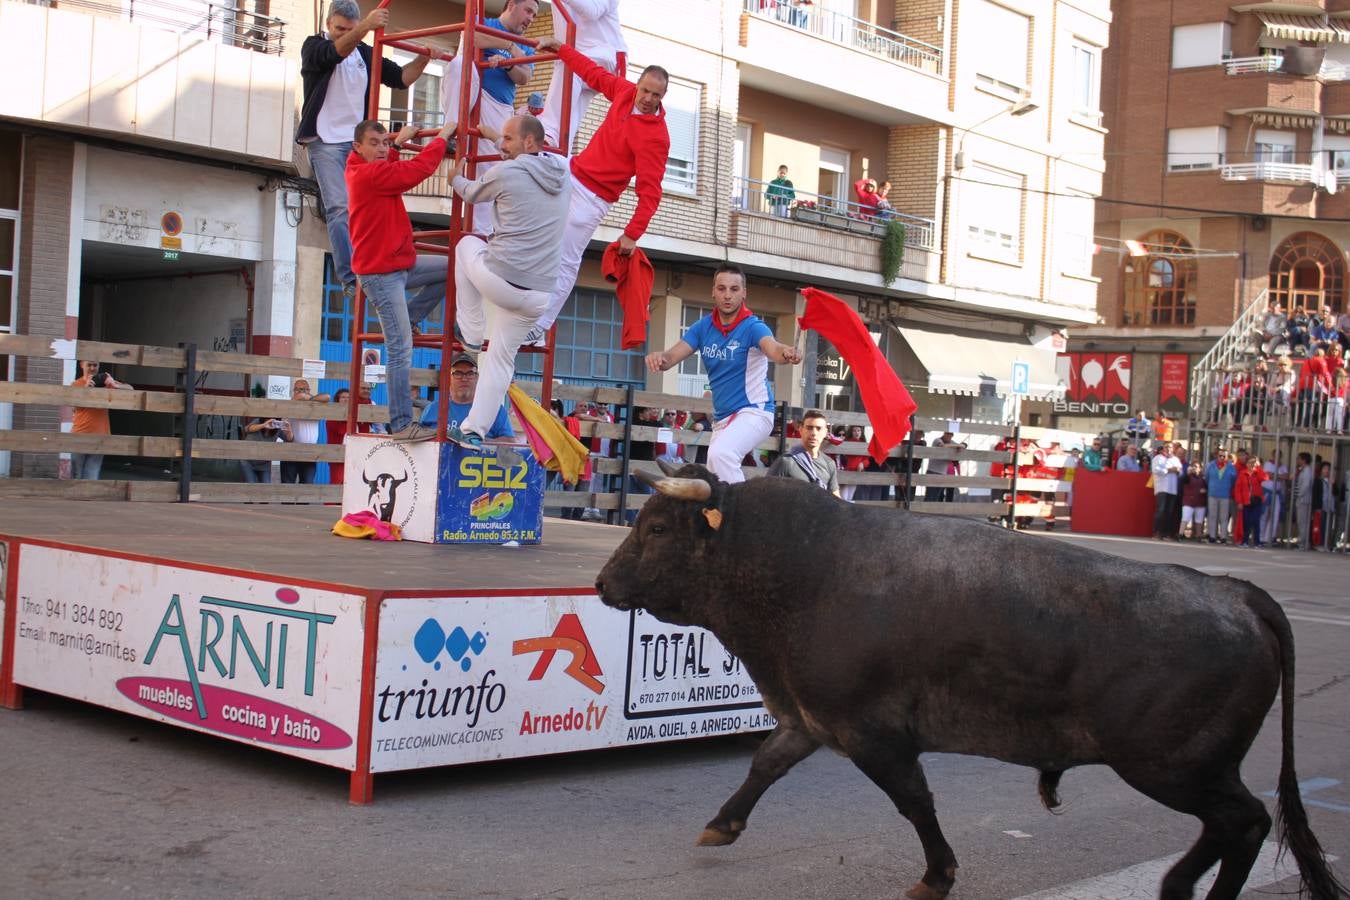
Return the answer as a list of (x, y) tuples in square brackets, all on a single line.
[(145, 150)]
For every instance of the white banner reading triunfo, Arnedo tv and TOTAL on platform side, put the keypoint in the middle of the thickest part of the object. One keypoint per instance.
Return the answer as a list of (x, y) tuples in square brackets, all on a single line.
[(493, 678)]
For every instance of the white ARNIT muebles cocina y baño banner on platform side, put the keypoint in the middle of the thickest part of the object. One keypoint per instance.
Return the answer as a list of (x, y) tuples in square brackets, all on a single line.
[(246, 659)]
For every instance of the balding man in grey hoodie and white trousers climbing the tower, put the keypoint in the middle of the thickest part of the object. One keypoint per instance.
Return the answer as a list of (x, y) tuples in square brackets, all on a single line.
[(518, 269)]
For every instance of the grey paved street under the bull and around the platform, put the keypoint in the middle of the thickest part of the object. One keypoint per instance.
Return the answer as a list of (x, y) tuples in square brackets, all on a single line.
[(101, 805)]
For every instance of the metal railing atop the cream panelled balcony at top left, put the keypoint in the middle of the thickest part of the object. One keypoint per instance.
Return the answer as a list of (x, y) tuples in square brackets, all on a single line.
[(237, 26)]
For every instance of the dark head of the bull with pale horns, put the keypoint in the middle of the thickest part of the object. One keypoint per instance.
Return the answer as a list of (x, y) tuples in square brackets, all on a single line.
[(651, 569)]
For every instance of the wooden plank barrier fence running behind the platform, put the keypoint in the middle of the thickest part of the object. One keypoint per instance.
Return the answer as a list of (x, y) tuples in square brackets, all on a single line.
[(611, 492)]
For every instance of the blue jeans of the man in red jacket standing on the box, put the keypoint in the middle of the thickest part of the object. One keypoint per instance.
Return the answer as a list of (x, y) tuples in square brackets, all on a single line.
[(398, 312)]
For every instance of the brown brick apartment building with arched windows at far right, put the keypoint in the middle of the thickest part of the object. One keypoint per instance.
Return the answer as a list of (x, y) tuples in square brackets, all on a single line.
[(1228, 165)]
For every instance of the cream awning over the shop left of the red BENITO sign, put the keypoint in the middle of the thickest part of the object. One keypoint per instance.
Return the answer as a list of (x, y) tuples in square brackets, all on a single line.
[(969, 365)]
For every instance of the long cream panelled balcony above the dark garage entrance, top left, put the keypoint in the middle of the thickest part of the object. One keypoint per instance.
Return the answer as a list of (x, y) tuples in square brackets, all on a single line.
[(187, 72)]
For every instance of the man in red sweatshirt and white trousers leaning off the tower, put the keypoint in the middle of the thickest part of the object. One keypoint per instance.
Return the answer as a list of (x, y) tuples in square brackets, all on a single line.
[(631, 142)]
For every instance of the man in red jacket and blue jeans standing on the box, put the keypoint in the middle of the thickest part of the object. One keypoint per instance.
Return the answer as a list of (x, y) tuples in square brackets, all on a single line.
[(384, 258)]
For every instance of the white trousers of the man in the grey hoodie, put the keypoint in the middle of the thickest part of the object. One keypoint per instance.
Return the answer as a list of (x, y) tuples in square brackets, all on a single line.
[(518, 312)]
